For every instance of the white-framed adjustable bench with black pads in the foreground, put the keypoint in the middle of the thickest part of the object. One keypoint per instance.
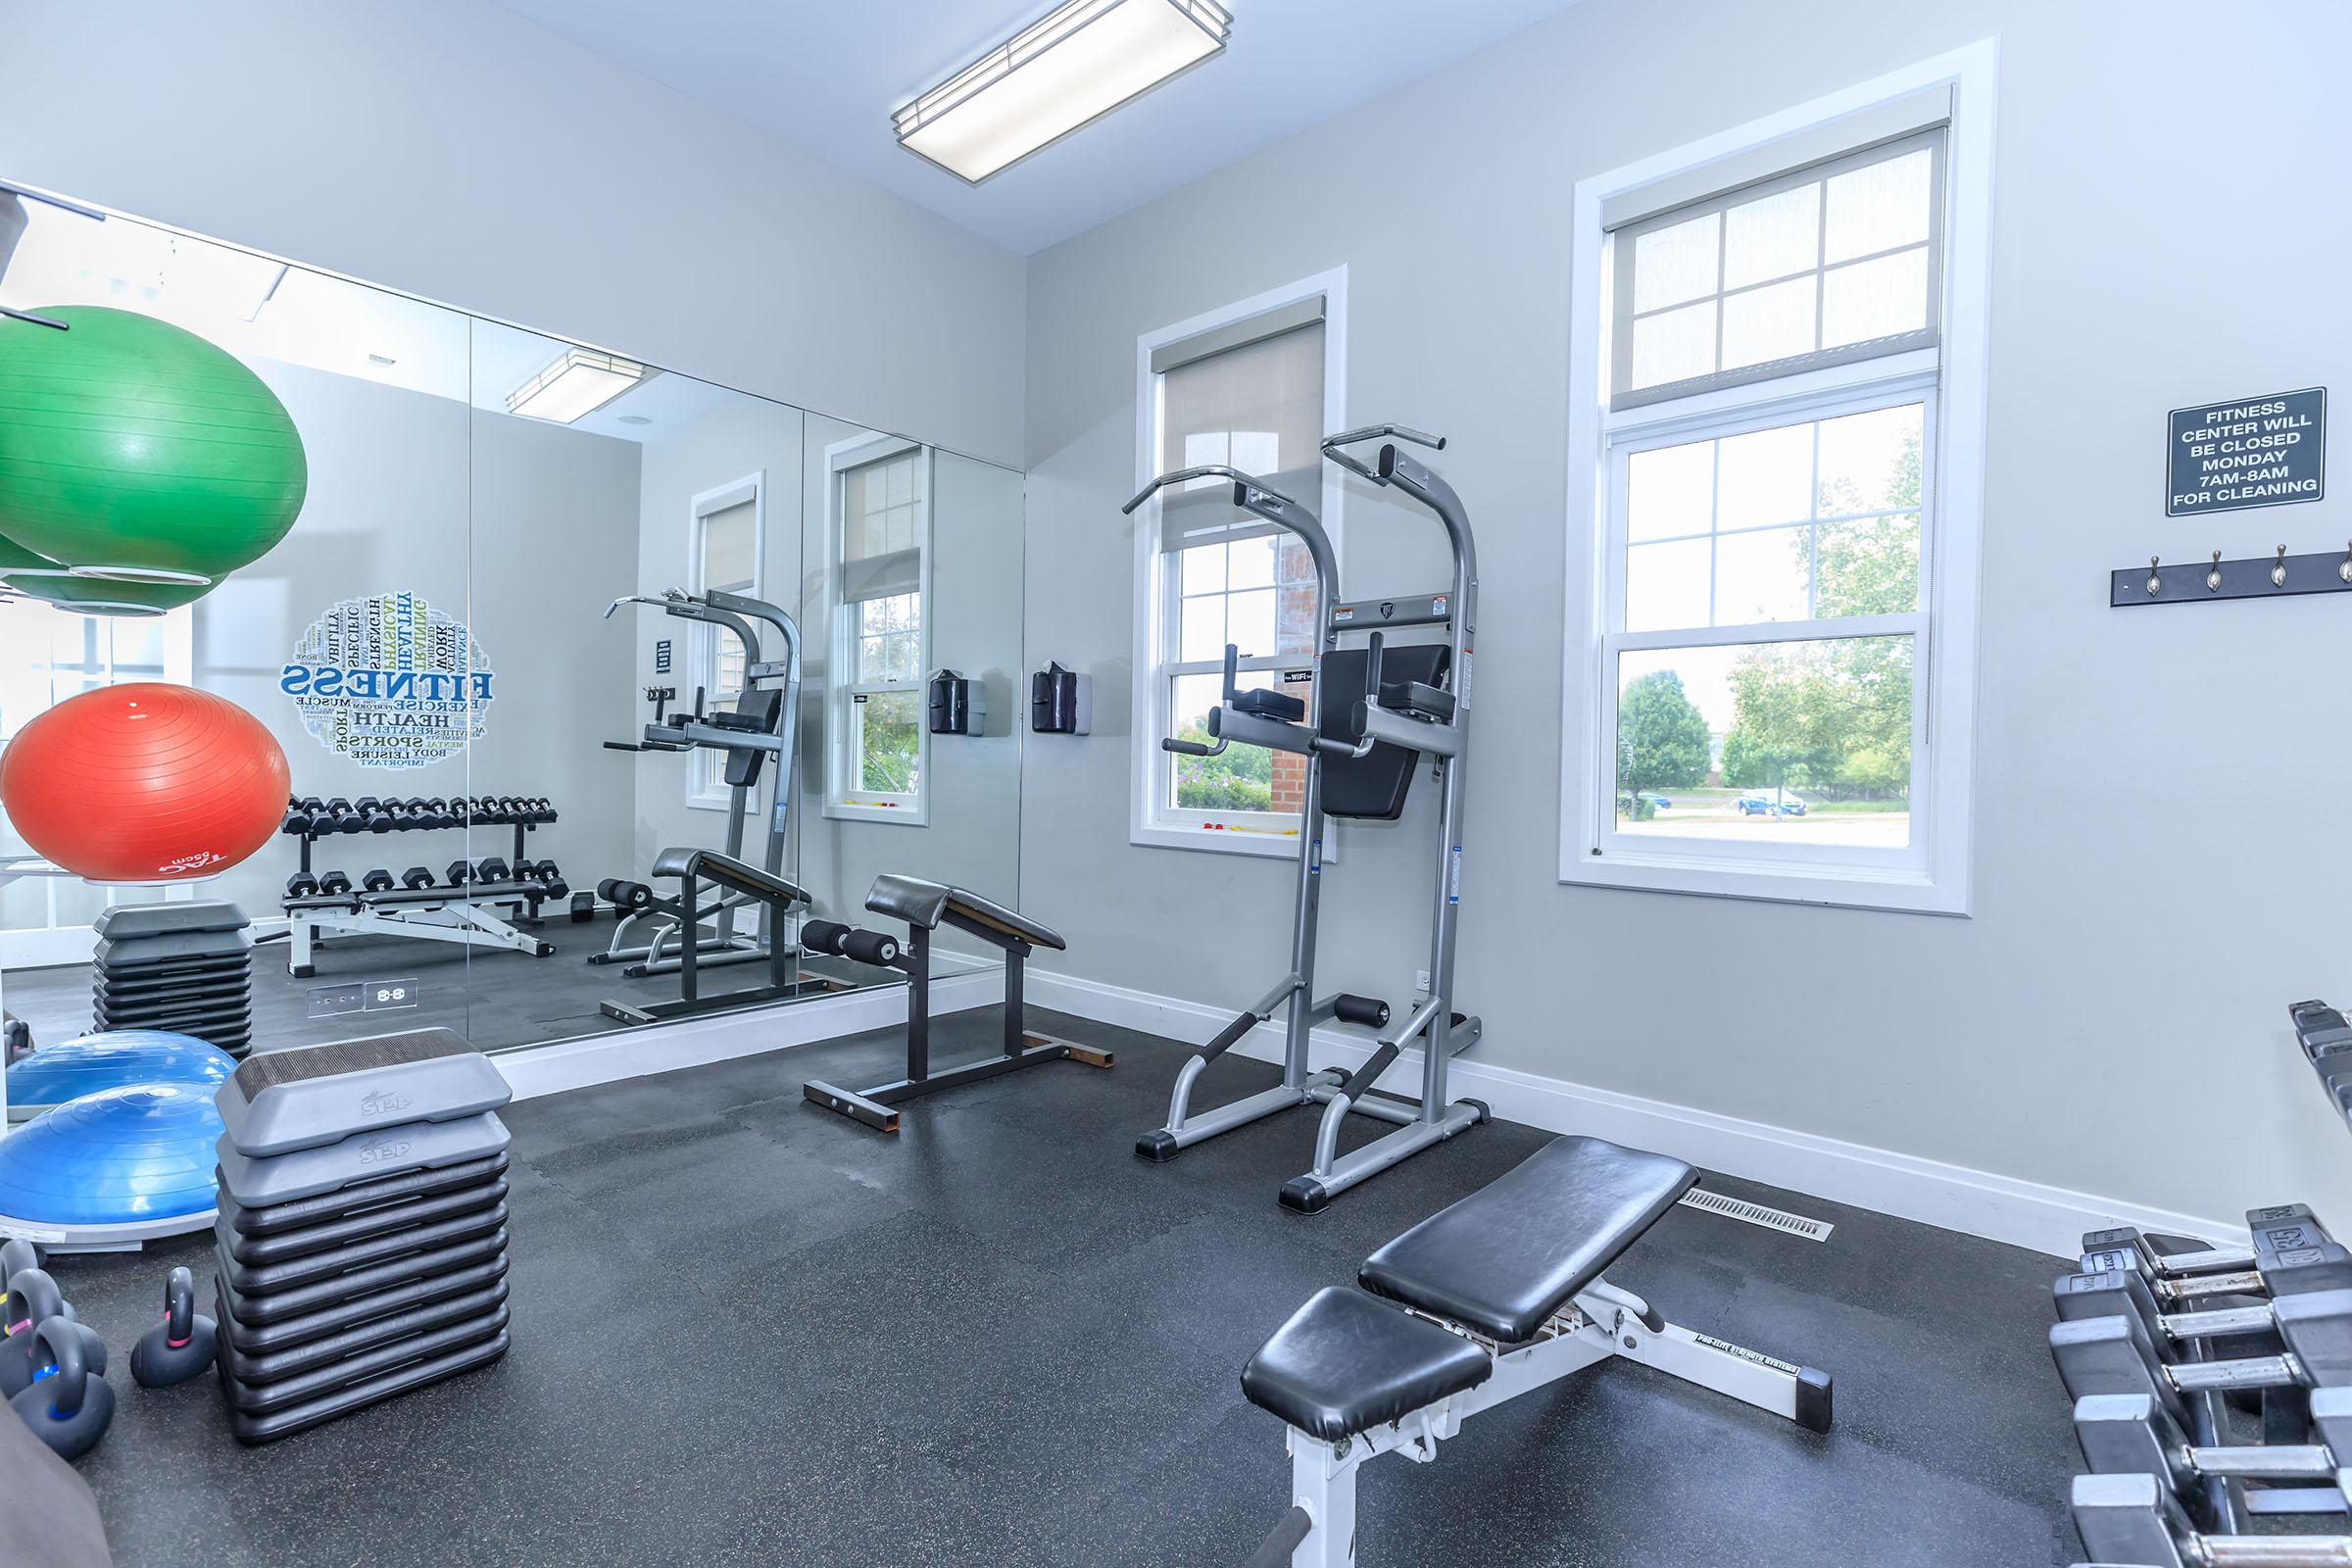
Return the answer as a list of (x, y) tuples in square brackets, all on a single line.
[(1497, 1296)]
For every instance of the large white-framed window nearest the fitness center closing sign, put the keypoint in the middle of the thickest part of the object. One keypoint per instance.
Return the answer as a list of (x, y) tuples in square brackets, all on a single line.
[(1777, 457)]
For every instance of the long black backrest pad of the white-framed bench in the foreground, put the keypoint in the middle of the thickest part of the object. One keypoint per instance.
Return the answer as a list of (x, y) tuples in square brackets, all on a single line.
[(1511, 1254)]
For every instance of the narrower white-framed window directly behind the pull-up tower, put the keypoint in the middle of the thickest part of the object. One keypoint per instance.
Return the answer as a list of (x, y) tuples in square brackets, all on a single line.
[(1252, 387)]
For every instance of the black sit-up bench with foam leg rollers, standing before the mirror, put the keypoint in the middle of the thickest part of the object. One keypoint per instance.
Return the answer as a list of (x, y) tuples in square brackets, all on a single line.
[(926, 909)]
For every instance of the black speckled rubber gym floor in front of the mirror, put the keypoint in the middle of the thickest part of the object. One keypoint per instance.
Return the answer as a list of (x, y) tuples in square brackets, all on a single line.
[(749, 1332)]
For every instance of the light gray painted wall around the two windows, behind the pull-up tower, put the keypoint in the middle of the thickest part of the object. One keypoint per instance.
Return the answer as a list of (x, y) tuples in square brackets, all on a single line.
[(2151, 852)]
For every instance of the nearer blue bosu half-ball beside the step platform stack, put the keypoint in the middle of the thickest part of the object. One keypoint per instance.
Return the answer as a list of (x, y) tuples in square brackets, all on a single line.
[(114, 1167)]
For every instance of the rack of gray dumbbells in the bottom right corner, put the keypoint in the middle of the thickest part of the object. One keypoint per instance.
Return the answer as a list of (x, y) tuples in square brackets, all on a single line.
[(2212, 1395)]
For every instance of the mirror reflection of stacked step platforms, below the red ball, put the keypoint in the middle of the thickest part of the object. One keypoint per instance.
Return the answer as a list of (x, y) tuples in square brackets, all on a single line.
[(182, 967)]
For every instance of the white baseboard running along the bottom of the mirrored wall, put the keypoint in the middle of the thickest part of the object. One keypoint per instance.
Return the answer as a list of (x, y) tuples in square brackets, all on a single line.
[(697, 1043)]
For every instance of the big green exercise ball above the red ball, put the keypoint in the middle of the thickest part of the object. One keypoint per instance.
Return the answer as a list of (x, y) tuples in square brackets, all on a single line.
[(135, 450)]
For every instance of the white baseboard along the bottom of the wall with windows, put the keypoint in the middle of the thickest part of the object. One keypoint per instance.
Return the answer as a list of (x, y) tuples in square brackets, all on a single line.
[(1904, 1186)]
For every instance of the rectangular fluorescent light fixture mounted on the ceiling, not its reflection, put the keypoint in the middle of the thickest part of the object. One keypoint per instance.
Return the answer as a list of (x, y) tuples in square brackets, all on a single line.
[(1048, 81)]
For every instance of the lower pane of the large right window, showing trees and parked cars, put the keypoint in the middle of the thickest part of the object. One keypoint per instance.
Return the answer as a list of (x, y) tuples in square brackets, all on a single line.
[(1770, 744)]
